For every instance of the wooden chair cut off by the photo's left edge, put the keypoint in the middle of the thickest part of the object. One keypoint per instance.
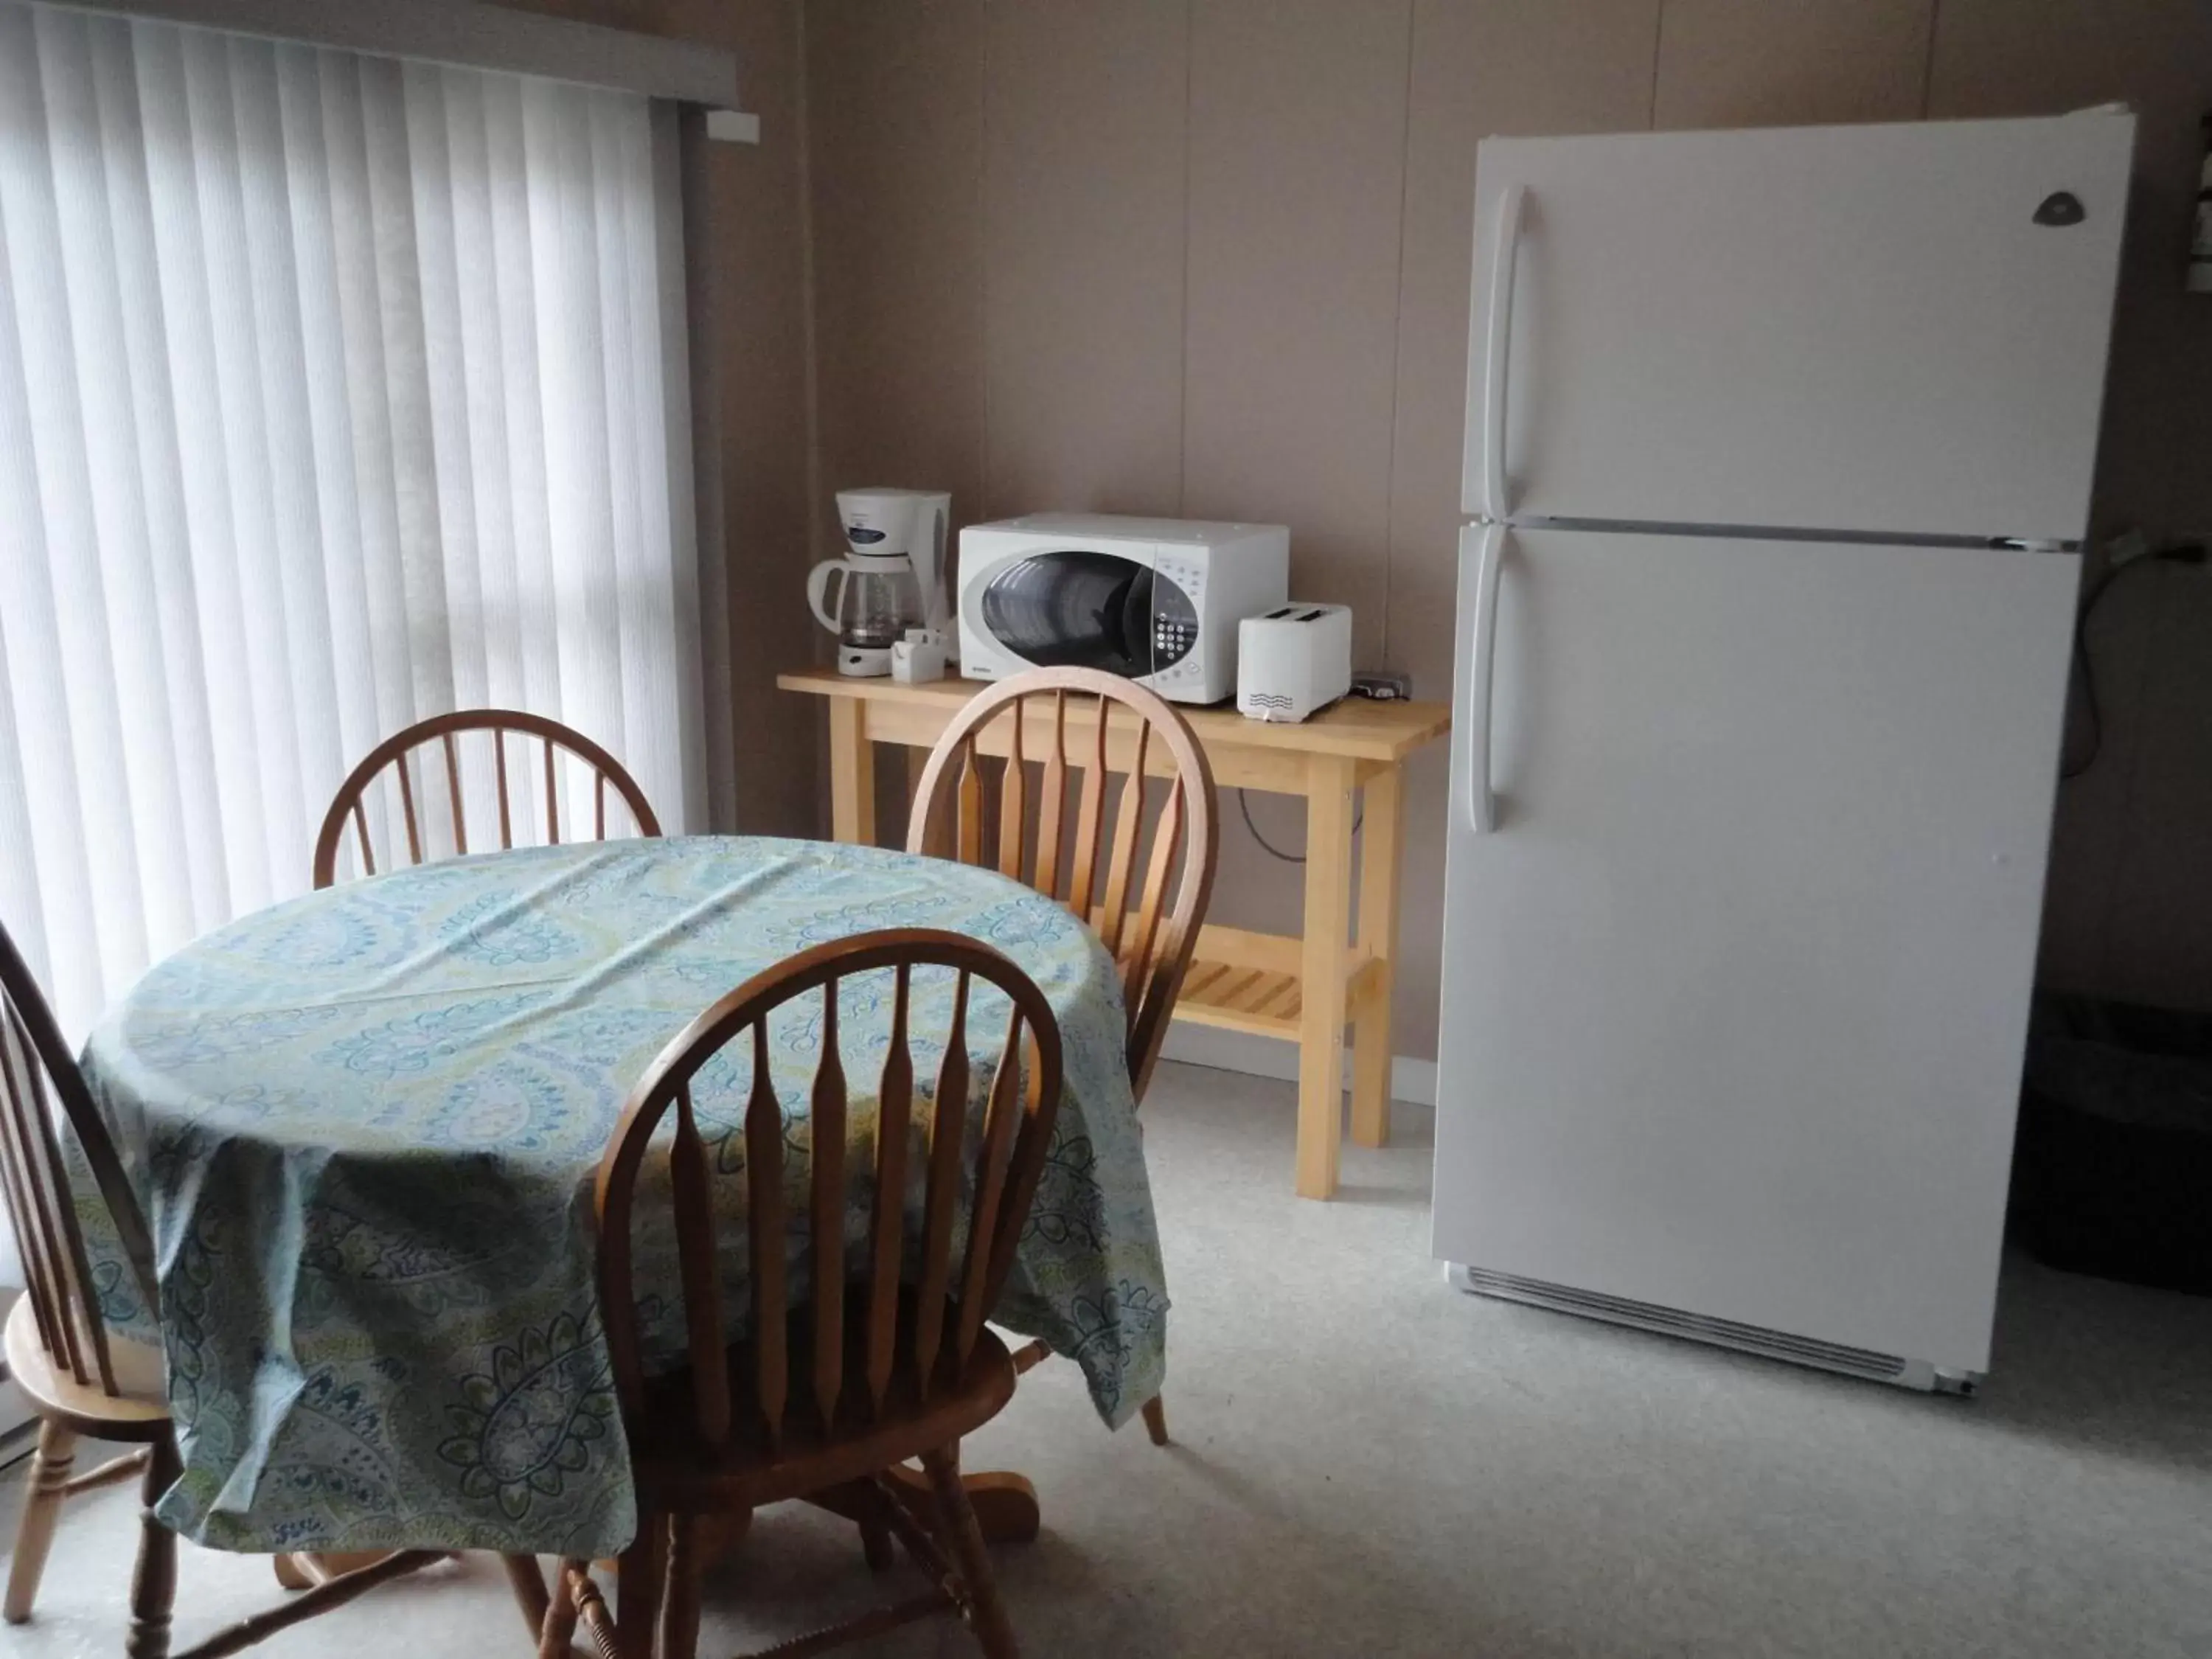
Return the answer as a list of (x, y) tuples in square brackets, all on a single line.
[(70, 1370)]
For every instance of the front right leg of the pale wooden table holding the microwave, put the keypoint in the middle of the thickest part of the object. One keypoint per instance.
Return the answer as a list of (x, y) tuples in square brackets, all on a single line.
[(1322, 974)]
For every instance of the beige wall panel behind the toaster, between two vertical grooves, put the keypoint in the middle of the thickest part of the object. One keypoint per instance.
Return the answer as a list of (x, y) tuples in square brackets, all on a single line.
[(1297, 149)]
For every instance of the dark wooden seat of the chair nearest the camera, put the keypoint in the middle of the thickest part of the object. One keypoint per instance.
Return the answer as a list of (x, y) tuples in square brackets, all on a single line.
[(680, 1472)]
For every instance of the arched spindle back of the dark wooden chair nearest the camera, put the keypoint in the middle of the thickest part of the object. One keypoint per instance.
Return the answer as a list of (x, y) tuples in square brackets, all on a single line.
[(842, 1353)]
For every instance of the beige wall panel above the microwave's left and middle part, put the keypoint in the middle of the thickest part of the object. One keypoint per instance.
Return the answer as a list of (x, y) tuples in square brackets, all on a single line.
[(1085, 167)]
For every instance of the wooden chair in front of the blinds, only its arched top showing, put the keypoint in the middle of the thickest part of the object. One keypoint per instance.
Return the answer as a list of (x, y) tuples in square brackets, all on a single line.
[(503, 724)]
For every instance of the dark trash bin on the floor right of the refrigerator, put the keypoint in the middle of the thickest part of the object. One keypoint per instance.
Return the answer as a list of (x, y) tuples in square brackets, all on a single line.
[(2114, 1173)]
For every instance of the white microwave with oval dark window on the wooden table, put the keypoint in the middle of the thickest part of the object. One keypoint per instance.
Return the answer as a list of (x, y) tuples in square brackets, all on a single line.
[(1156, 601)]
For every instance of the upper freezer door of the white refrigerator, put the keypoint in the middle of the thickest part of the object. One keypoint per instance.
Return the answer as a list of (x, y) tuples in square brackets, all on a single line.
[(1897, 331)]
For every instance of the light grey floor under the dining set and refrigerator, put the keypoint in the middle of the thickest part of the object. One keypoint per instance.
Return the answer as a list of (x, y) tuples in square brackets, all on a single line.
[(1375, 1465)]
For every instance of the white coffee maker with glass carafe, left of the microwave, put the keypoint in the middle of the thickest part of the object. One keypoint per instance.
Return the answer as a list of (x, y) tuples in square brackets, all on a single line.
[(893, 585)]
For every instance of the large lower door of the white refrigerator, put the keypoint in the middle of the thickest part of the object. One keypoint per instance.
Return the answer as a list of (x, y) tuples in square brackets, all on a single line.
[(1735, 988)]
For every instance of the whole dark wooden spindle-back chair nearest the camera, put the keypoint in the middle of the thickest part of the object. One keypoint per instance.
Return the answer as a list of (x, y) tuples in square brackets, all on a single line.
[(820, 1399)]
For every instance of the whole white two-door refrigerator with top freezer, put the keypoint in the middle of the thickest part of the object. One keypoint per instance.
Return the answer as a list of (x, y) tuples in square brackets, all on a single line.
[(1780, 457)]
